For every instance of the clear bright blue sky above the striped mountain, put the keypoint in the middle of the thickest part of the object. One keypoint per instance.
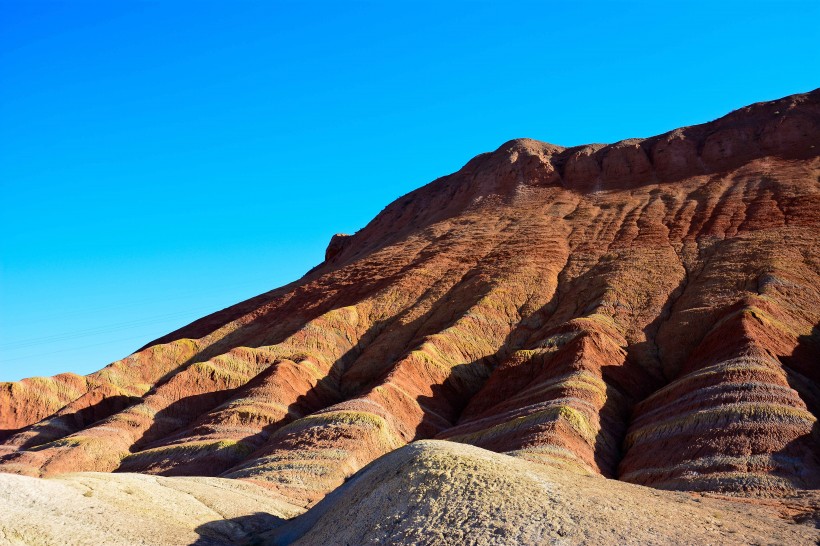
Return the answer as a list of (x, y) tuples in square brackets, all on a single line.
[(163, 160)]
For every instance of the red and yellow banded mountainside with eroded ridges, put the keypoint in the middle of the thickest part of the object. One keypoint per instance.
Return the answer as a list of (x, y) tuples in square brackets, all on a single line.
[(647, 311)]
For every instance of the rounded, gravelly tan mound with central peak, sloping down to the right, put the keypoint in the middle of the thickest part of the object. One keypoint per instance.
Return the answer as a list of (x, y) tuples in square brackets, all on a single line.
[(433, 492)]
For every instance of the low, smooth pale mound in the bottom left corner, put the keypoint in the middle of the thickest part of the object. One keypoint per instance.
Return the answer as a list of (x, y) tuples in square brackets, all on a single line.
[(129, 509)]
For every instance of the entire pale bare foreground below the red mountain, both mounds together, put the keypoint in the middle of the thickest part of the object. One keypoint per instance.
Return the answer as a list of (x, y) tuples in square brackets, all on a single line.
[(429, 492)]
